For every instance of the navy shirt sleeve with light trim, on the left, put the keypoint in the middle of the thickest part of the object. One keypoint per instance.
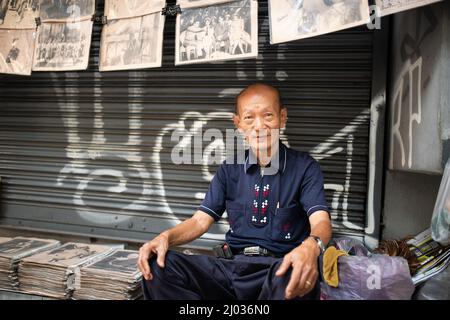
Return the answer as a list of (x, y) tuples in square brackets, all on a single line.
[(214, 201)]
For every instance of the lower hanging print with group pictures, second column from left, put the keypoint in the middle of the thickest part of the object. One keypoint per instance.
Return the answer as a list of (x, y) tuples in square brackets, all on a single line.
[(62, 46)]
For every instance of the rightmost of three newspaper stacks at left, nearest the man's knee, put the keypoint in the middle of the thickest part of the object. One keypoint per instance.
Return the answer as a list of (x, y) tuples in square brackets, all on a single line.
[(115, 277)]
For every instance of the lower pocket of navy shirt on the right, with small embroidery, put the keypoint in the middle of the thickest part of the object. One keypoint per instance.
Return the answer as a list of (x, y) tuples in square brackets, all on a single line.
[(287, 225)]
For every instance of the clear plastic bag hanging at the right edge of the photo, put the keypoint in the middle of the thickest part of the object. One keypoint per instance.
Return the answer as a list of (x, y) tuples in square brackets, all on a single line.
[(440, 222)]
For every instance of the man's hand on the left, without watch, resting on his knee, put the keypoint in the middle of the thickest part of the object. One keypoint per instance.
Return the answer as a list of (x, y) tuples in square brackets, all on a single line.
[(158, 246)]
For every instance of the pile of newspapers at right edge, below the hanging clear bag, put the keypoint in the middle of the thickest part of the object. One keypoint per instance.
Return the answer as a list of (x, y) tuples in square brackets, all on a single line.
[(432, 256)]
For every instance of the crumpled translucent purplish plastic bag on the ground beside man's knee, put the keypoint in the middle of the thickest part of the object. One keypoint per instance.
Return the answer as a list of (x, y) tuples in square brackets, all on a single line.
[(369, 276)]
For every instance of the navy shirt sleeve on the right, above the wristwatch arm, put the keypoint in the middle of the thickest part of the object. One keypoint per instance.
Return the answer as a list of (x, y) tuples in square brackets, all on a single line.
[(312, 193)]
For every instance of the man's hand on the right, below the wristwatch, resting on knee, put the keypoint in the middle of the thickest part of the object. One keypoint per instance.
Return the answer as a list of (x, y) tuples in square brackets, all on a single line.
[(303, 261)]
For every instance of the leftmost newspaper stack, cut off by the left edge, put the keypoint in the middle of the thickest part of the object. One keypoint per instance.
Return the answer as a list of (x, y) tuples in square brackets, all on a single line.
[(12, 251)]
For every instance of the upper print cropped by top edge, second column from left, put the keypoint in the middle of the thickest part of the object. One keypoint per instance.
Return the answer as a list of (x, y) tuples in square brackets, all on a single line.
[(66, 10)]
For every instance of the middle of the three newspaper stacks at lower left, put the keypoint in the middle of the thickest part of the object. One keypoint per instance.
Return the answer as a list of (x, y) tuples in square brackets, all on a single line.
[(56, 273)]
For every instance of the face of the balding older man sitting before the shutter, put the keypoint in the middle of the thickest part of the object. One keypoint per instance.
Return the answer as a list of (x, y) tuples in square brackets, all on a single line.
[(260, 118)]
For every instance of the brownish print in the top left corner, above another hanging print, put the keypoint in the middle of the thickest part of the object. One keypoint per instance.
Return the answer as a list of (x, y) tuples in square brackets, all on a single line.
[(18, 14)]
